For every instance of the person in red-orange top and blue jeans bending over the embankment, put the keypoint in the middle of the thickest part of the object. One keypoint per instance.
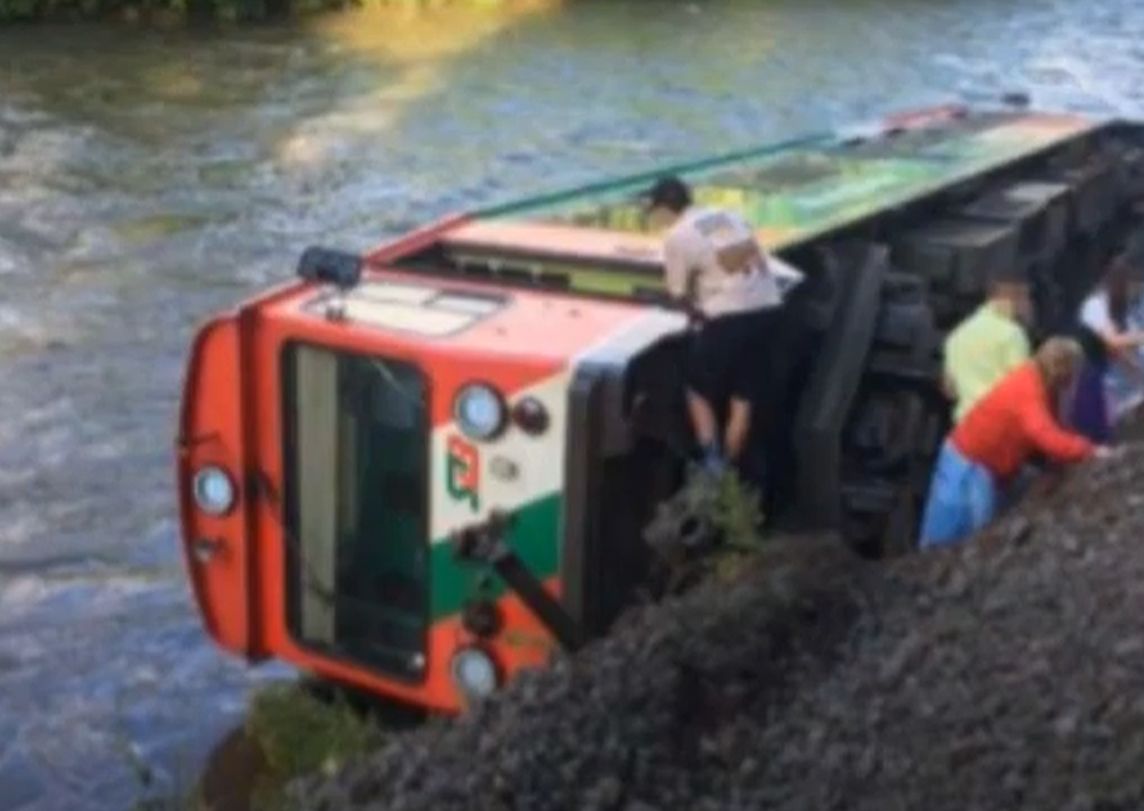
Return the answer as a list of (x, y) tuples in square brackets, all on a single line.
[(999, 435)]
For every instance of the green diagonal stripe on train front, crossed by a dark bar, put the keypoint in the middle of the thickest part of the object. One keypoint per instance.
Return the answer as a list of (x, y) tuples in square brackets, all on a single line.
[(534, 536)]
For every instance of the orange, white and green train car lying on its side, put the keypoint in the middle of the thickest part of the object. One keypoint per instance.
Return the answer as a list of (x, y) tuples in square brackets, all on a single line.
[(422, 471)]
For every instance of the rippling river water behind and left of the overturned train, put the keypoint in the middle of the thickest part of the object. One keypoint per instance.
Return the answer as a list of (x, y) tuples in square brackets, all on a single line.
[(149, 179)]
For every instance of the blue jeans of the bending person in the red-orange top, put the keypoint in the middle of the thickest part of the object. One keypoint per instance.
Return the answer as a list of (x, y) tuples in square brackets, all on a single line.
[(963, 499)]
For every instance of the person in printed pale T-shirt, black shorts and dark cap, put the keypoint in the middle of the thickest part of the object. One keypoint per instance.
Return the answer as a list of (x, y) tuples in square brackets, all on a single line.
[(716, 268)]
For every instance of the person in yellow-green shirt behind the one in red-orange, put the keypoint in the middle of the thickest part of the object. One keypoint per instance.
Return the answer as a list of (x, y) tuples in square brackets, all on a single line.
[(988, 345)]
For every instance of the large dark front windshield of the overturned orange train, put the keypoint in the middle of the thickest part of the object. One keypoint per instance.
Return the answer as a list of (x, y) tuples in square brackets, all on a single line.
[(356, 475)]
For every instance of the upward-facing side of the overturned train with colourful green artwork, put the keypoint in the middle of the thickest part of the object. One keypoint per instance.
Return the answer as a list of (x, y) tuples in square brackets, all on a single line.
[(597, 238)]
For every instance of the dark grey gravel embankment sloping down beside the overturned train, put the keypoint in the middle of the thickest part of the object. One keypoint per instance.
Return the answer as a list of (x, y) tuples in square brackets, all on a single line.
[(1005, 674)]
